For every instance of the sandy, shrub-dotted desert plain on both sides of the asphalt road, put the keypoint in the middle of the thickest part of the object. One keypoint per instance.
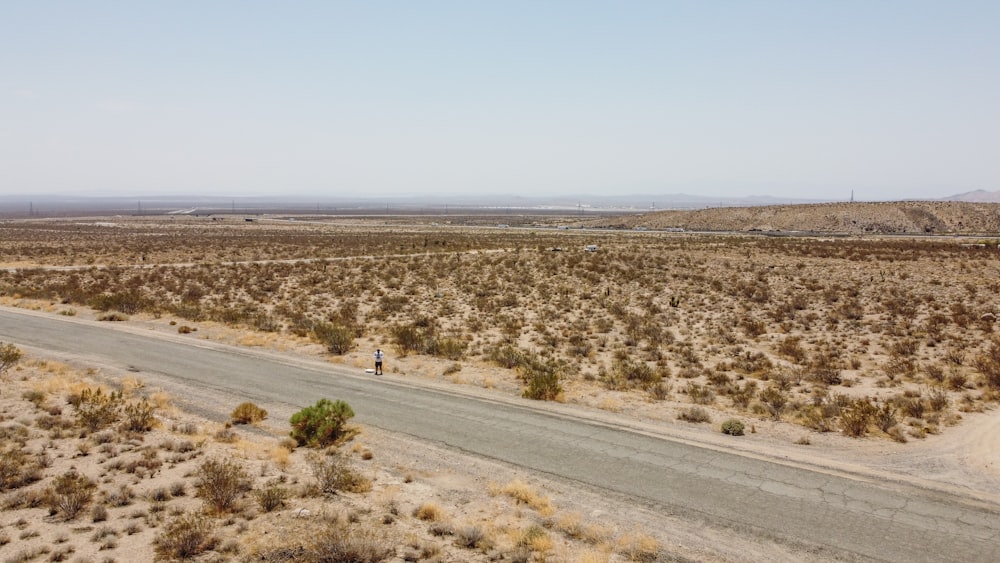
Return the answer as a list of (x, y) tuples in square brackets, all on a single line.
[(854, 348)]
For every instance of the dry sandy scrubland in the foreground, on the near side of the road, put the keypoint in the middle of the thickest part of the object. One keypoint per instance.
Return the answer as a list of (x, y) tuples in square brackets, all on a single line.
[(116, 473)]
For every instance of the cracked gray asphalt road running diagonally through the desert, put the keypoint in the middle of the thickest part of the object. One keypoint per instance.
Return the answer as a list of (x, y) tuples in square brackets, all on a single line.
[(842, 516)]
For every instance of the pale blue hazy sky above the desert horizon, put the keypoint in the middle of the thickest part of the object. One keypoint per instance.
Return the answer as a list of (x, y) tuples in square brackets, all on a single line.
[(892, 99)]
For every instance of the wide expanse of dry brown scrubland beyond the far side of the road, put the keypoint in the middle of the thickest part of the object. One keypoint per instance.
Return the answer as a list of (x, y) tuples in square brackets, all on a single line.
[(884, 337)]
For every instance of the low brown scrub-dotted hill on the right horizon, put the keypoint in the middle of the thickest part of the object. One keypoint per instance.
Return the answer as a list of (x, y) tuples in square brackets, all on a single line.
[(896, 217)]
